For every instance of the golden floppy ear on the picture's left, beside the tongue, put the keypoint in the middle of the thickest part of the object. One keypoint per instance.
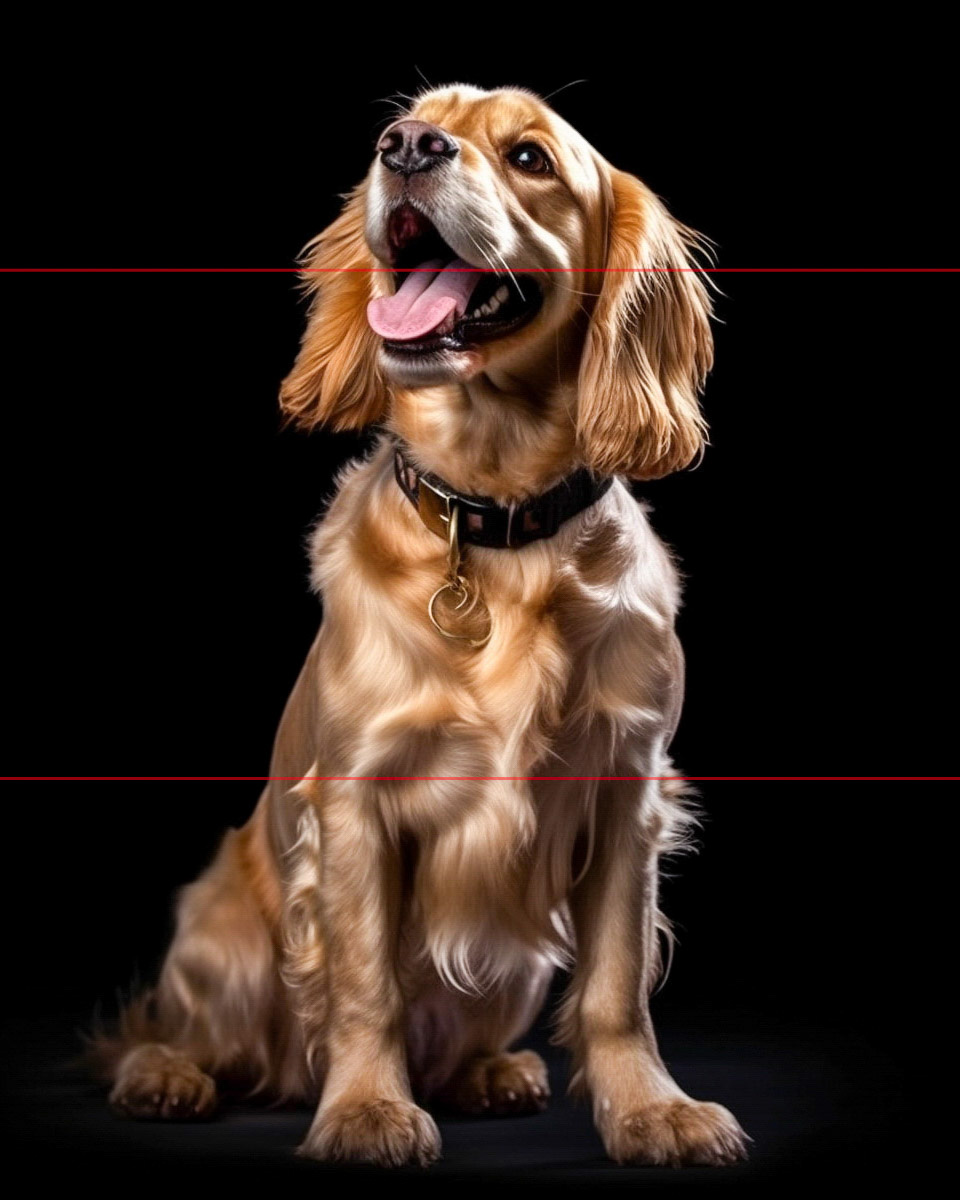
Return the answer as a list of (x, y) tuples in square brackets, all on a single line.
[(335, 380)]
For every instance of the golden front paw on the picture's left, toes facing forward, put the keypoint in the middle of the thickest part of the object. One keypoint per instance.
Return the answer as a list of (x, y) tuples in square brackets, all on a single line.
[(386, 1133)]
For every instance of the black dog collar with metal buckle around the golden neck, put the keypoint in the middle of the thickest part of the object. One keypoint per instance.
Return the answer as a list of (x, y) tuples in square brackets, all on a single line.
[(482, 521)]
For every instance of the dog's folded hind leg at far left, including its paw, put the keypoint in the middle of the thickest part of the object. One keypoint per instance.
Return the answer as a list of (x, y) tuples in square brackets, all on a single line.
[(219, 1011)]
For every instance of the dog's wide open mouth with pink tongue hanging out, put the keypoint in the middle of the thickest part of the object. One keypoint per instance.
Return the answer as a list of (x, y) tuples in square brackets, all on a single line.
[(443, 303)]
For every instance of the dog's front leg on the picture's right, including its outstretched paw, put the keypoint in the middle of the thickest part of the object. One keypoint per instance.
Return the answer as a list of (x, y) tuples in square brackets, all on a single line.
[(643, 1114)]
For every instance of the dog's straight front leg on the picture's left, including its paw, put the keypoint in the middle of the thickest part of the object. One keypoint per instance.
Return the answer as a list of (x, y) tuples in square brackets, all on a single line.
[(367, 1112)]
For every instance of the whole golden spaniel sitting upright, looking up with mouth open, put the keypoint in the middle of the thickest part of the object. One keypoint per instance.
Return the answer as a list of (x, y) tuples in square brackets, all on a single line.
[(471, 783)]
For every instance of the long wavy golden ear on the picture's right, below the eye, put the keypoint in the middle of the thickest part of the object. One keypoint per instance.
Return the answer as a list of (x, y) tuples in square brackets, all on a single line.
[(649, 345)]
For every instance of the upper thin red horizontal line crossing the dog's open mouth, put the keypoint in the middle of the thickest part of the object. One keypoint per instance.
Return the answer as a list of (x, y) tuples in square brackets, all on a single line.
[(479, 271)]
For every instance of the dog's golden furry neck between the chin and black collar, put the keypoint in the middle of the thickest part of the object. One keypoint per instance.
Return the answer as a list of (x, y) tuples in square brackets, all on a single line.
[(490, 437)]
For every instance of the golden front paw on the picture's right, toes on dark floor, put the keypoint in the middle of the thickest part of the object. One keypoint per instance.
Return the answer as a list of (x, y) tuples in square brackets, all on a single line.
[(675, 1133)]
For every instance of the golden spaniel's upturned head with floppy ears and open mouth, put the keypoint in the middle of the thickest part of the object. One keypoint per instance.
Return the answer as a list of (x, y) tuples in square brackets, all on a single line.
[(566, 278)]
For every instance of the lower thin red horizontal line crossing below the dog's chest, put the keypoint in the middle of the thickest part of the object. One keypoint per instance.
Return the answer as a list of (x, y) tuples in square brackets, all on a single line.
[(544, 779)]
